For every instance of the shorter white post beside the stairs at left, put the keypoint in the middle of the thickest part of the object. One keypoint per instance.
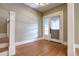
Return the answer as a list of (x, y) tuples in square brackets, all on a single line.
[(12, 33)]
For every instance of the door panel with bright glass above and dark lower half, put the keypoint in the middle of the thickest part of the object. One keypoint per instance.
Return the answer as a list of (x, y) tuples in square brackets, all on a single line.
[(55, 28)]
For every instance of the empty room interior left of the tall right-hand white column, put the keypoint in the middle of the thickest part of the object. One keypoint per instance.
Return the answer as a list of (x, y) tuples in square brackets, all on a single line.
[(33, 29)]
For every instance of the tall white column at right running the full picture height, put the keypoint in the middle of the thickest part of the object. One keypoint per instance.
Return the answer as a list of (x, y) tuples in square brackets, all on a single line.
[(71, 38)]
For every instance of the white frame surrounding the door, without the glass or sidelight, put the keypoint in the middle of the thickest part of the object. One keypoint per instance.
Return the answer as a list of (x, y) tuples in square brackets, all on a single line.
[(60, 13)]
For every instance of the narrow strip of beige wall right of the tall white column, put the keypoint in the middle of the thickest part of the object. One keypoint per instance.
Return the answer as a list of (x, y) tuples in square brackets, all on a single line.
[(76, 23)]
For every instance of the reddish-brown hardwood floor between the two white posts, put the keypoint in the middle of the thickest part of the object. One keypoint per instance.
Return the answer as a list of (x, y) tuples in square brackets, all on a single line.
[(41, 48)]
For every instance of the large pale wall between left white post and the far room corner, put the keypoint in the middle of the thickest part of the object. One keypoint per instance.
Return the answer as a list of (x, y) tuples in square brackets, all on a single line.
[(27, 25)]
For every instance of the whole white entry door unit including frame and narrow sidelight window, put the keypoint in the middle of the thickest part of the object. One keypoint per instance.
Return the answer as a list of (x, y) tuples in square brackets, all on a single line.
[(53, 27)]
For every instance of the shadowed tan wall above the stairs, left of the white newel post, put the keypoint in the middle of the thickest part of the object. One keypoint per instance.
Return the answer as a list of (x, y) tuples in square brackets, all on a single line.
[(3, 20)]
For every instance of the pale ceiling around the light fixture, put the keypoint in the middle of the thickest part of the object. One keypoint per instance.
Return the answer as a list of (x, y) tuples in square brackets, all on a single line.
[(43, 8)]
